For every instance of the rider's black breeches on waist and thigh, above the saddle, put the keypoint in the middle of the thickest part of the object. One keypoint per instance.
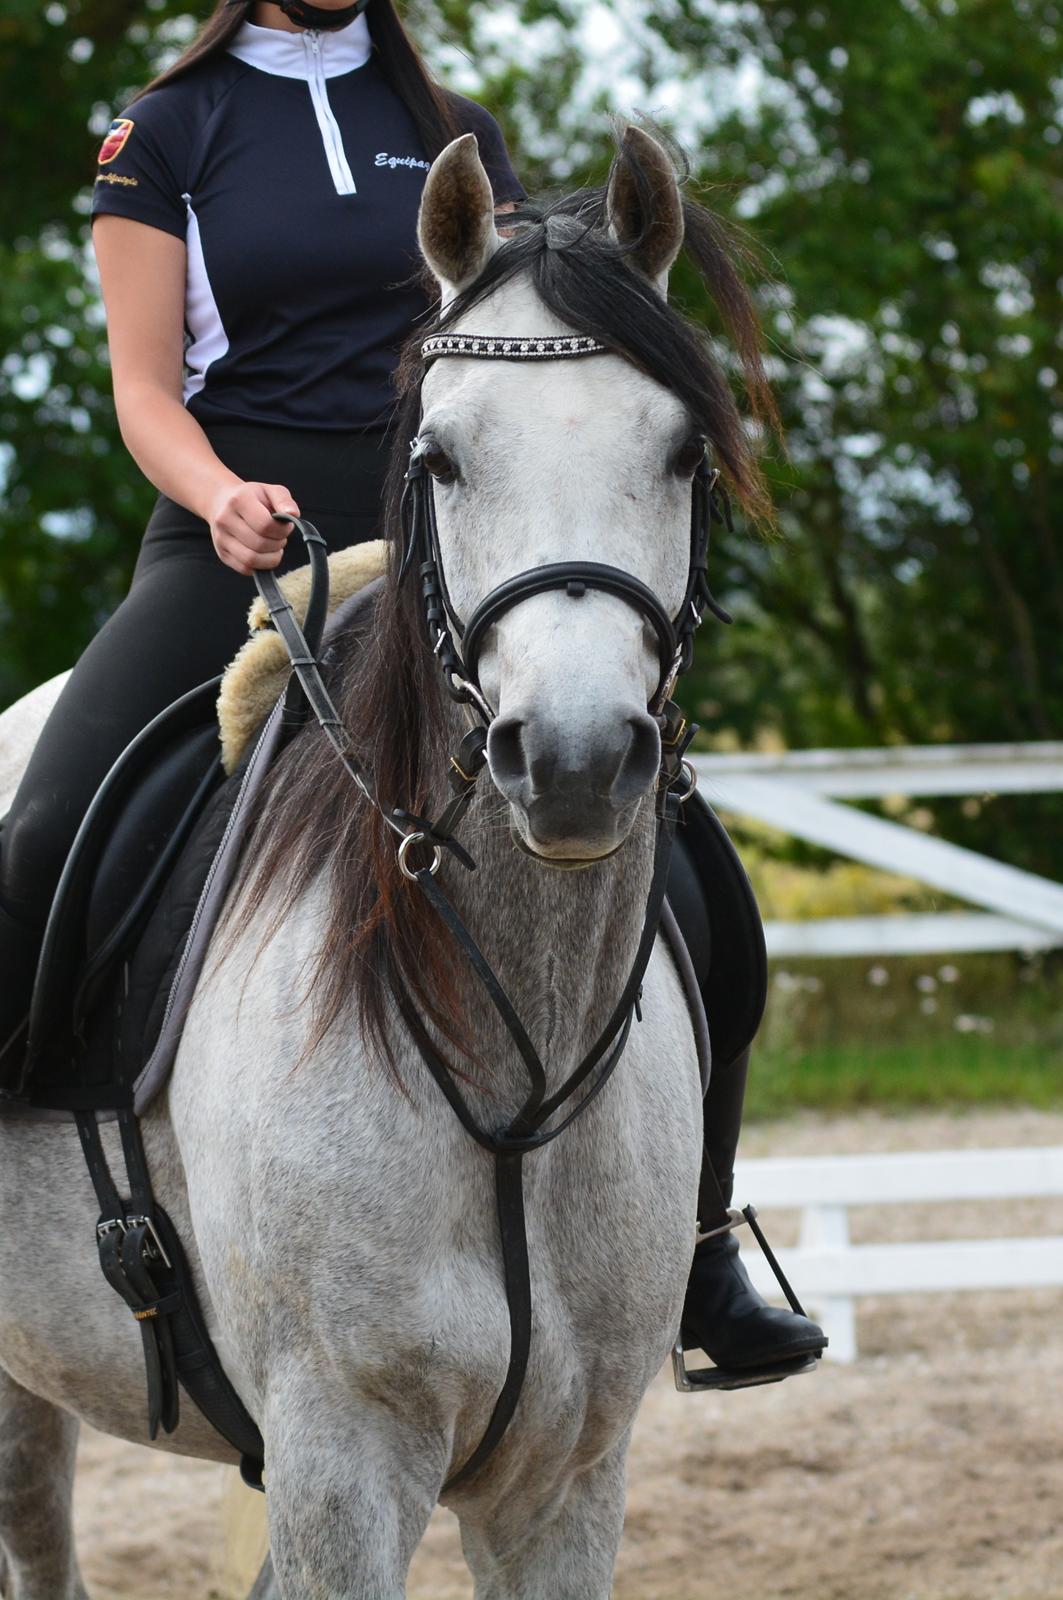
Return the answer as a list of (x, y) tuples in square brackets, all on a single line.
[(180, 625)]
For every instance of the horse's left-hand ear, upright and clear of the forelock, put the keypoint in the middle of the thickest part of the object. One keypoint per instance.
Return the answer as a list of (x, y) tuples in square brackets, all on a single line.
[(457, 220)]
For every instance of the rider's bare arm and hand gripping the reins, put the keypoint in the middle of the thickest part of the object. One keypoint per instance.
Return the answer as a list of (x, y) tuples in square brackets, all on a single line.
[(142, 274)]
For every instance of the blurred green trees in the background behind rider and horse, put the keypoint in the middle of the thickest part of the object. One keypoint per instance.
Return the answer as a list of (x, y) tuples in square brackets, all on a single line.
[(899, 166)]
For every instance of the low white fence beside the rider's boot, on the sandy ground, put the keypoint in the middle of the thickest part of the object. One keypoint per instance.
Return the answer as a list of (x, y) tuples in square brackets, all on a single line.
[(830, 1273)]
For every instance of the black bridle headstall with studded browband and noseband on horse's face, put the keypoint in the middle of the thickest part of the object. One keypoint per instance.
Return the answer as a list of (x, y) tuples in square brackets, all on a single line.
[(446, 628)]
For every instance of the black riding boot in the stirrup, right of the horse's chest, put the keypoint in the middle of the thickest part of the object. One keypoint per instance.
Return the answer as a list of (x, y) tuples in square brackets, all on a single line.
[(724, 1314)]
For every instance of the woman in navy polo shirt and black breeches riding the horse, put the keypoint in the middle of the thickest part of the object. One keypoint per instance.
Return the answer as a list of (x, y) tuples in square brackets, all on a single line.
[(262, 196)]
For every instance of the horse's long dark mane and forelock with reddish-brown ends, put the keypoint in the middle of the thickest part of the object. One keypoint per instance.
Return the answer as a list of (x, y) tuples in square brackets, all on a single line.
[(380, 937)]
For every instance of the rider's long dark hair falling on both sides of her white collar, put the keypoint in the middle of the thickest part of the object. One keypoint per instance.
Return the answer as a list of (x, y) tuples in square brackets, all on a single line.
[(428, 102)]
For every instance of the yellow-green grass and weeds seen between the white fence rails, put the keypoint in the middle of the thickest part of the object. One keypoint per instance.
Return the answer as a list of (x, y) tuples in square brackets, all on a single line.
[(893, 1033)]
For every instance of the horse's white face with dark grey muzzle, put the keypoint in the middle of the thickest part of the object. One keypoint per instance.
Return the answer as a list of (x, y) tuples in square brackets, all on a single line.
[(552, 462)]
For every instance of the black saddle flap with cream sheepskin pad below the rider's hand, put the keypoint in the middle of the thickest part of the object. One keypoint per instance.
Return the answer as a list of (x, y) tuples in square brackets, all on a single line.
[(151, 849)]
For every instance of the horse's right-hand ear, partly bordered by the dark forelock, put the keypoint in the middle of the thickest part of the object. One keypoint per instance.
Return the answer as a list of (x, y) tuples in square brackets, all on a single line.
[(643, 198)]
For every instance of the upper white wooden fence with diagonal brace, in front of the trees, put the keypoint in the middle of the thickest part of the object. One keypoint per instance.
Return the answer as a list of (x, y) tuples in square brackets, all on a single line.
[(800, 793)]
